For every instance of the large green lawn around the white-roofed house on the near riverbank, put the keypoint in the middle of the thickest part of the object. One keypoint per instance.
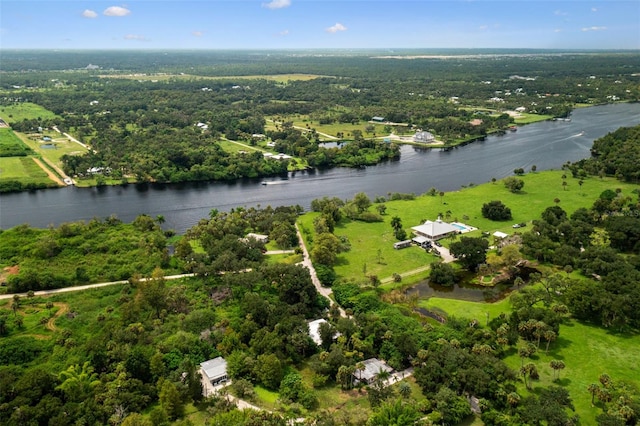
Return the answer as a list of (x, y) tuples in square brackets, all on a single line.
[(372, 243)]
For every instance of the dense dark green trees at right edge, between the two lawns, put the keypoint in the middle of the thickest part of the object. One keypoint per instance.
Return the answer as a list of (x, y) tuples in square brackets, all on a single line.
[(604, 244)]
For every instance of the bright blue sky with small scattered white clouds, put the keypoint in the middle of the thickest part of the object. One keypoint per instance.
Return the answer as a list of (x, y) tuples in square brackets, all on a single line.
[(295, 24)]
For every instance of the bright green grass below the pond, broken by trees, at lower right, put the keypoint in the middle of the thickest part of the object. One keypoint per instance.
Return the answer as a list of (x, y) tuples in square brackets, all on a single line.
[(587, 351)]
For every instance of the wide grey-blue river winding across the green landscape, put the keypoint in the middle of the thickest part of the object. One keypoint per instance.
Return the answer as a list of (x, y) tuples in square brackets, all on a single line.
[(547, 145)]
